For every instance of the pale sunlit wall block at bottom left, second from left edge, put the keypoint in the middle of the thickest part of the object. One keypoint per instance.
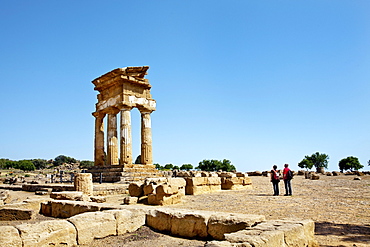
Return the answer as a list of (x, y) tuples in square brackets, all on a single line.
[(48, 233)]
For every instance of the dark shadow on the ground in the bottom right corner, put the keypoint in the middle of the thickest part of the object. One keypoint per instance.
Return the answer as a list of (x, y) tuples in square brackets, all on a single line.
[(348, 233)]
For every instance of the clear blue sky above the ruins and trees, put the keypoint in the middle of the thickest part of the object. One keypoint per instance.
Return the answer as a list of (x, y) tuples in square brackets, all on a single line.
[(256, 82)]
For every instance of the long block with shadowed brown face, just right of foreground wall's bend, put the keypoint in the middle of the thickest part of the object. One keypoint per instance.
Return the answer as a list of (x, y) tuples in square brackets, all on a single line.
[(183, 223)]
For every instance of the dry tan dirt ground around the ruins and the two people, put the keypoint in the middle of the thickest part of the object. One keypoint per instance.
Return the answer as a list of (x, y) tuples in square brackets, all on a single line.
[(340, 207)]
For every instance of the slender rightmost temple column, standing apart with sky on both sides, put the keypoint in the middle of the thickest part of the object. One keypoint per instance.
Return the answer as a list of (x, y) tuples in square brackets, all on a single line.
[(146, 138)]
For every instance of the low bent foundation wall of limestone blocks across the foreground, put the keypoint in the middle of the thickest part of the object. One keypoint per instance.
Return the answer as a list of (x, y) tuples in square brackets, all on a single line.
[(226, 229)]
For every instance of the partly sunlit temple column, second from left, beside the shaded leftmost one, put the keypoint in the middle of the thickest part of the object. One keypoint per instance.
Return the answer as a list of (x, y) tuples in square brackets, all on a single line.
[(112, 139)]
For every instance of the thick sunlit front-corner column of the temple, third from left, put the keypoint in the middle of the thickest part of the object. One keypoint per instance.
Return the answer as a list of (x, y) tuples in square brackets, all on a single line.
[(125, 132)]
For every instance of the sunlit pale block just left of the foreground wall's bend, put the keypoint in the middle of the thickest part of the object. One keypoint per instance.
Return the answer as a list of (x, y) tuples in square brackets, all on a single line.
[(128, 220)]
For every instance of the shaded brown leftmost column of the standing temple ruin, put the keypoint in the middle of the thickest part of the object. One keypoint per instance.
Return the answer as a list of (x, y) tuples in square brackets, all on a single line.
[(99, 139)]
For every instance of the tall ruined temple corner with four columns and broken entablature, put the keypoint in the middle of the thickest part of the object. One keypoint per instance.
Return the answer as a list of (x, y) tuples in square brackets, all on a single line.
[(120, 91)]
